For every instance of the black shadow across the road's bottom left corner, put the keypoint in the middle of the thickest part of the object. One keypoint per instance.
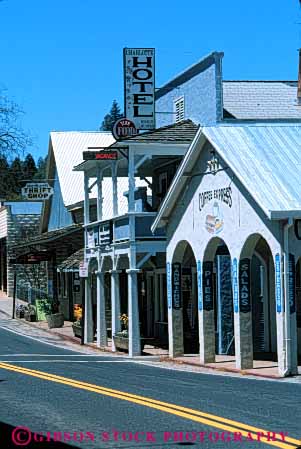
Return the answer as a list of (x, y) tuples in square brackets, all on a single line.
[(12, 437)]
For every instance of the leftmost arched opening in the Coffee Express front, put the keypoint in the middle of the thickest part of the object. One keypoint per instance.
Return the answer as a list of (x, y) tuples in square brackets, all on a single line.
[(184, 263)]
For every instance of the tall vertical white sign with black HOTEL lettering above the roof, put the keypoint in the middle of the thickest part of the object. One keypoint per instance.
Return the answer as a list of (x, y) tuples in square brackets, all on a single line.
[(139, 86)]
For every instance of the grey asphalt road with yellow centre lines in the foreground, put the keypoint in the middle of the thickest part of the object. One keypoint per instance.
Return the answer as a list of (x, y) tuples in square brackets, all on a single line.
[(87, 401)]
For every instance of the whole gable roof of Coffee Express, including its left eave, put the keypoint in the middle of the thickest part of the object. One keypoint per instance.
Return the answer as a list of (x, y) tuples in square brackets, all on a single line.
[(264, 157)]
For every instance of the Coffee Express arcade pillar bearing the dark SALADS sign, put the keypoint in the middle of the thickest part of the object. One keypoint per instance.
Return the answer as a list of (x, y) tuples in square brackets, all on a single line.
[(242, 314)]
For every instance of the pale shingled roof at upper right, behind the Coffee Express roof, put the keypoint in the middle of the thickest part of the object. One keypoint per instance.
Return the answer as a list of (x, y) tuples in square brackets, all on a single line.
[(267, 100)]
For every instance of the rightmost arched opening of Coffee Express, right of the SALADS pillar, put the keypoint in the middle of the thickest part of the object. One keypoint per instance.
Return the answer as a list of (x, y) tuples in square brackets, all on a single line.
[(256, 255)]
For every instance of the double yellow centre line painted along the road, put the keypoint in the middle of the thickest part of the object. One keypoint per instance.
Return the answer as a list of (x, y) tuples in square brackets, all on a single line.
[(208, 419)]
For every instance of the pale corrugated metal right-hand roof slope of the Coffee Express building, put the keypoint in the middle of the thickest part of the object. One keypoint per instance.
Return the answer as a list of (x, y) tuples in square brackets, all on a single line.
[(266, 158)]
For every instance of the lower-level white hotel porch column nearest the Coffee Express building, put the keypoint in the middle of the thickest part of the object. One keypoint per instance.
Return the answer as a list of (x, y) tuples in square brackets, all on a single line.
[(133, 313)]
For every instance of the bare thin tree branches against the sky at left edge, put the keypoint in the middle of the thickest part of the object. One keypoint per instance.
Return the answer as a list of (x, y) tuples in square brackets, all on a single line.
[(13, 139)]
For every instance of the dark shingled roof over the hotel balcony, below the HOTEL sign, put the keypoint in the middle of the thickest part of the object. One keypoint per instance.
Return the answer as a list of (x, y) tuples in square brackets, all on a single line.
[(181, 132)]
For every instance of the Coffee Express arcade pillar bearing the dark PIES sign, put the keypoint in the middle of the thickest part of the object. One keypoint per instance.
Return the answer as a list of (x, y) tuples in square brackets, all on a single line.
[(206, 312)]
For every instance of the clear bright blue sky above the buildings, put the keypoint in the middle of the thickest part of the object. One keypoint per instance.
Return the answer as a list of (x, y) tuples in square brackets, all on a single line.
[(61, 60)]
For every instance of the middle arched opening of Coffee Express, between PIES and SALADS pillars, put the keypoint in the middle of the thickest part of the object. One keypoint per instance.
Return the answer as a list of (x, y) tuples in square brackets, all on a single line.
[(217, 266)]
